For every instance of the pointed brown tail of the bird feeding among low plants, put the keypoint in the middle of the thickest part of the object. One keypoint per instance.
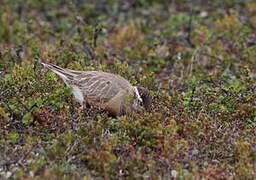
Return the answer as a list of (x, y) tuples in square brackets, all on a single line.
[(65, 74)]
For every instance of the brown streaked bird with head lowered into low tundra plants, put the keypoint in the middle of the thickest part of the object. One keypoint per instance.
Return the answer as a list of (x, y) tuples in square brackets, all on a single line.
[(104, 90)]
